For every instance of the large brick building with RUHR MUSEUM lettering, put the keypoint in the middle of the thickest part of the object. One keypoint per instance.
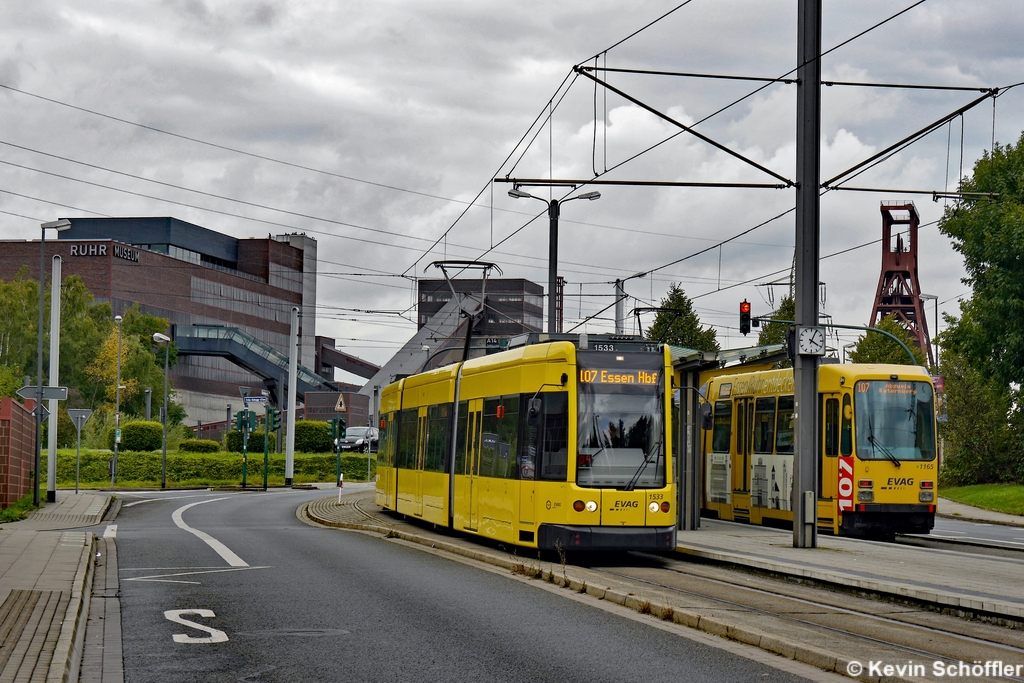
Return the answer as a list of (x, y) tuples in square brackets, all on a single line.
[(190, 275)]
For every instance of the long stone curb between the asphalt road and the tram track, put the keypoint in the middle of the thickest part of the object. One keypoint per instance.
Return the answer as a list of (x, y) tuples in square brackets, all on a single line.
[(715, 626)]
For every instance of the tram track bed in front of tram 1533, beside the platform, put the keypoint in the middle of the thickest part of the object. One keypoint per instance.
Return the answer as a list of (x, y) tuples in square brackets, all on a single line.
[(848, 625)]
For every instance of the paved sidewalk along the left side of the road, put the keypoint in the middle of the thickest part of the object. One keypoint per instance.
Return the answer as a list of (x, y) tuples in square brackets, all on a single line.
[(46, 586)]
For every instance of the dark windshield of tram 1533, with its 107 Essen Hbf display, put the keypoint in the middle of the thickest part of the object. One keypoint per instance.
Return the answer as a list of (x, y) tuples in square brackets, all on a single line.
[(621, 421)]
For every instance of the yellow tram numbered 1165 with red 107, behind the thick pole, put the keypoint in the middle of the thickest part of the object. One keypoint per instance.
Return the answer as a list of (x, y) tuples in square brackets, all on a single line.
[(877, 449)]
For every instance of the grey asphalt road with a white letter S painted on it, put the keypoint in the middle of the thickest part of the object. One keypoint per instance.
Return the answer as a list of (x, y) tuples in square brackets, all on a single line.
[(318, 605)]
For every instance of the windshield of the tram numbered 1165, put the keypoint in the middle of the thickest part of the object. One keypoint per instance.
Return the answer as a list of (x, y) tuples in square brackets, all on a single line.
[(895, 420)]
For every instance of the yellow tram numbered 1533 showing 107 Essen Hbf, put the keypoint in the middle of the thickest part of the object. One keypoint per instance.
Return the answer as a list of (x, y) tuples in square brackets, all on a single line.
[(544, 446)]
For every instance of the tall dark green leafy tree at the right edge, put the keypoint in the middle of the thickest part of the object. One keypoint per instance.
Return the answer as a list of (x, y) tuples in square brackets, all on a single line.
[(990, 233)]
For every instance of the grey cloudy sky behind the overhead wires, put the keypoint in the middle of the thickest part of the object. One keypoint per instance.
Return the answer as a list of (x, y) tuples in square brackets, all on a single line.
[(376, 127)]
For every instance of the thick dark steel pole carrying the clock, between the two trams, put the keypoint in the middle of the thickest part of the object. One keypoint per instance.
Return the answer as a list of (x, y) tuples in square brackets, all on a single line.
[(805, 478)]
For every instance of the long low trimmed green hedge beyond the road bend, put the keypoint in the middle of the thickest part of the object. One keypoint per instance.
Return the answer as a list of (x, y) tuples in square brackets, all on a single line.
[(215, 468)]
